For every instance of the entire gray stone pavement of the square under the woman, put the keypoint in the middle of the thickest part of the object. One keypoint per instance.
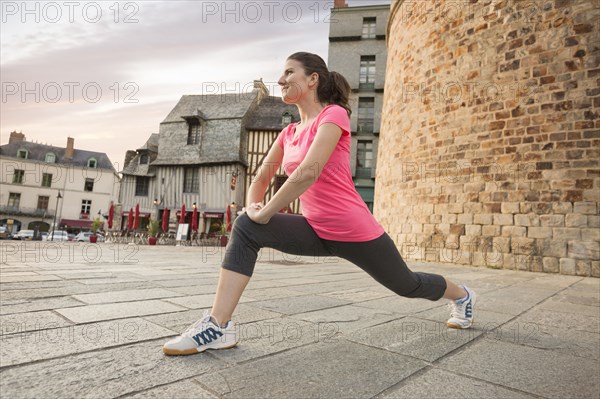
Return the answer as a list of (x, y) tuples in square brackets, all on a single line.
[(89, 321)]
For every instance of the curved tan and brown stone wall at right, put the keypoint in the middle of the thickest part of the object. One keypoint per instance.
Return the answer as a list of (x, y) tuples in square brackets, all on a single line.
[(489, 150)]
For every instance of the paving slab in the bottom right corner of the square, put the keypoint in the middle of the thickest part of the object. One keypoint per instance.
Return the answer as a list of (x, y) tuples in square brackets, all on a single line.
[(536, 371)]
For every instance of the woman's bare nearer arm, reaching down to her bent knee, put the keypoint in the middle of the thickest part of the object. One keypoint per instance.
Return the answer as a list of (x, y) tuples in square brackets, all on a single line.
[(305, 175)]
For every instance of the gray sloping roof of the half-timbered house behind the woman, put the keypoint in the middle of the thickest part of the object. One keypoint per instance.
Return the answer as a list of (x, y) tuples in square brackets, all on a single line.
[(214, 106)]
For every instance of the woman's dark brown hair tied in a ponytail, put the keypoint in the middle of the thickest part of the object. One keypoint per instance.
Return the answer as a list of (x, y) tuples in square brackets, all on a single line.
[(333, 87)]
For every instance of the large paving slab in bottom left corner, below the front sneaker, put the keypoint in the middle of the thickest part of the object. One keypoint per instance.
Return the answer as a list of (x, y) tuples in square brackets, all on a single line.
[(104, 373)]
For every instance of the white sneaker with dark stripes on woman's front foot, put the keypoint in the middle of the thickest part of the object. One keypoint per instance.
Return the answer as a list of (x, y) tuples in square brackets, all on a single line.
[(202, 335)]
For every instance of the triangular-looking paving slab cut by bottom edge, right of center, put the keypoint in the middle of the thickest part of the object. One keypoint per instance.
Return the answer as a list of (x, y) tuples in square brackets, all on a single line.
[(436, 383)]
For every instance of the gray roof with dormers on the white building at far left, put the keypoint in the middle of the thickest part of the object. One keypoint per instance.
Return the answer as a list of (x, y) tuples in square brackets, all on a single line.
[(37, 152)]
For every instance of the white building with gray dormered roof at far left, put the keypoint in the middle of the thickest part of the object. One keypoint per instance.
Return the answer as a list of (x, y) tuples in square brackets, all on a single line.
[(33, 176)]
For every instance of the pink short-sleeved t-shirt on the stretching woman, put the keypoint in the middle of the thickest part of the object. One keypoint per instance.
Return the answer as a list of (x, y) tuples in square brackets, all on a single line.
[(331, 205)]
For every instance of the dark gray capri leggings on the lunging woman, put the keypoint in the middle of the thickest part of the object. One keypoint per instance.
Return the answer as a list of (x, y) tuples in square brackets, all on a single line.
[(293, 235)]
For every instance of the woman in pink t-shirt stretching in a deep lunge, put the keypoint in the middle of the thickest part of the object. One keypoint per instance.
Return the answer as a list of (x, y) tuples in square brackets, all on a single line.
[(315, 154)]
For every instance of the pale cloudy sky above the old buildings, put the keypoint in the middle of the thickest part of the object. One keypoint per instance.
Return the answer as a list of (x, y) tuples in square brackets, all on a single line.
[(107, 73)]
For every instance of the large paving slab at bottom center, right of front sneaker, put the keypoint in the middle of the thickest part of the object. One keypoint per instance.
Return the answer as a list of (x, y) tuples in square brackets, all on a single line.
[(317, 373)]
